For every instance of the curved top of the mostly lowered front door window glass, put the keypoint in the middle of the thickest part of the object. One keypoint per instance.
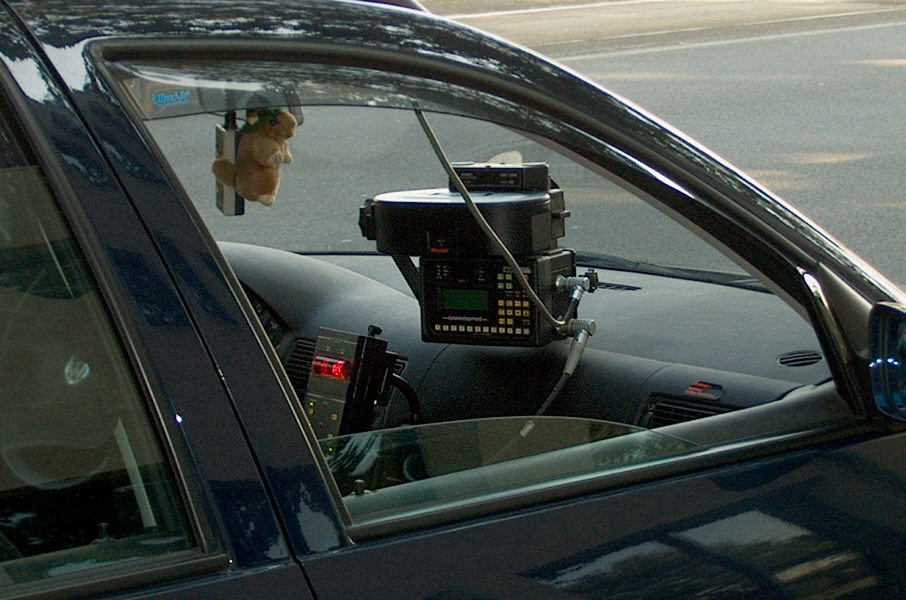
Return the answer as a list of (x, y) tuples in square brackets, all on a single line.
[(467, 461)]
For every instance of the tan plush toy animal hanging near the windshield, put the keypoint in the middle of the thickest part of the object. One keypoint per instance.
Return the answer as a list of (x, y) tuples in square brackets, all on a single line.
[(262, 150)]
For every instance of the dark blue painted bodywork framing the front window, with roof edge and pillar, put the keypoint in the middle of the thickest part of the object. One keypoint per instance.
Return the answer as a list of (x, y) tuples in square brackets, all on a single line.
[(785, 517)]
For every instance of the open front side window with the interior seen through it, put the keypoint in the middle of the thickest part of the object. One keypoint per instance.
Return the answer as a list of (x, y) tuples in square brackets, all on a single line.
[(471, 404)]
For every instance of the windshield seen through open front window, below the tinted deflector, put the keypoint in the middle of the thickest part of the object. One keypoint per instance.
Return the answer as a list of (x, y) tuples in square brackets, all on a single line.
[(355, 143)]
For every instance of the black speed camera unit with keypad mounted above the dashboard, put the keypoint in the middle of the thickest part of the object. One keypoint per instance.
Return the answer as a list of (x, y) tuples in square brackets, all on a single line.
[(468, 292)]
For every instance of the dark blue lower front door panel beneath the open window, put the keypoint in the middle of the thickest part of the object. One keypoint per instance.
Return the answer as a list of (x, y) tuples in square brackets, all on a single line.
[(804, 525)]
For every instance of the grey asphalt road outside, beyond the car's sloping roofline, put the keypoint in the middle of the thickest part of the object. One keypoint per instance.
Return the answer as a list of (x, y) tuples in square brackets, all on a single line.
[(808, 97)]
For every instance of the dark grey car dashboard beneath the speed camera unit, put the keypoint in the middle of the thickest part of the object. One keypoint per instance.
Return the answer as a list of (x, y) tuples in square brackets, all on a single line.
[(666, 350)]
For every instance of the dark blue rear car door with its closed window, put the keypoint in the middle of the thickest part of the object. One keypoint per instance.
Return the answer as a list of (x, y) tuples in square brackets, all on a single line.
[(124, 471)]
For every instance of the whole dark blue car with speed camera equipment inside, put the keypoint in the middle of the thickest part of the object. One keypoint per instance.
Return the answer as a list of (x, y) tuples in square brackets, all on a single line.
[(499, 335)]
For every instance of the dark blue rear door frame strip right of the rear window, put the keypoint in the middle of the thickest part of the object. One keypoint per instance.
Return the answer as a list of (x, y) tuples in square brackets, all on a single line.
[(235, 521)]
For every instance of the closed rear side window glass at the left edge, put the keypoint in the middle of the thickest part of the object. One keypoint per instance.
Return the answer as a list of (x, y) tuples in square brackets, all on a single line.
[(83, 482)]
